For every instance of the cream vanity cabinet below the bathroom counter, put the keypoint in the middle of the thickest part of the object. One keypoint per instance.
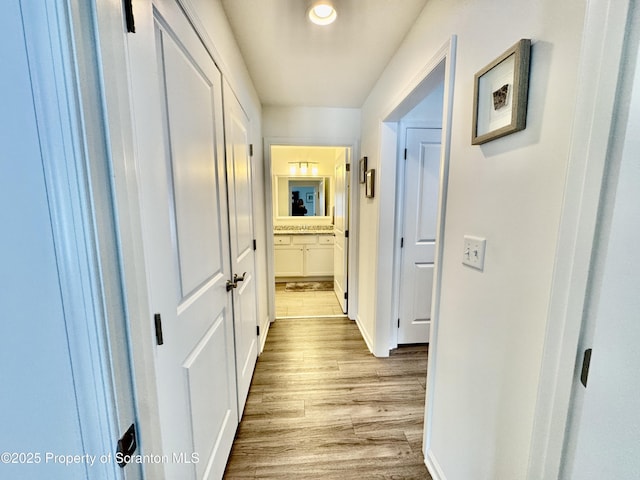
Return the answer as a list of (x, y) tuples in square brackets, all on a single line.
[(303, 255)]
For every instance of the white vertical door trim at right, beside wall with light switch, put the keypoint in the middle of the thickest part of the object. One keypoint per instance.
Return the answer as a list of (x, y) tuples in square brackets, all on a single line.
[(602, 52)]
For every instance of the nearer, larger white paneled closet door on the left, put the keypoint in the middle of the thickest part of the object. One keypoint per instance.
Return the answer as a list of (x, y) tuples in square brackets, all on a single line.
[(185, 222)]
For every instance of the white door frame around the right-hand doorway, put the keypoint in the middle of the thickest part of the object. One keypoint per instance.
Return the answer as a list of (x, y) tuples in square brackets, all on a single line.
[(437, 75)]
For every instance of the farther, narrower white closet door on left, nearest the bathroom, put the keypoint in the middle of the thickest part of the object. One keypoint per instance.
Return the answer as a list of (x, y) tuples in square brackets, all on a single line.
[(242, 246)]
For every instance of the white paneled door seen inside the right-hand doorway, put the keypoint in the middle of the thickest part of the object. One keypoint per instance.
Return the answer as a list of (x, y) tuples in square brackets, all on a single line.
[(421, 189)]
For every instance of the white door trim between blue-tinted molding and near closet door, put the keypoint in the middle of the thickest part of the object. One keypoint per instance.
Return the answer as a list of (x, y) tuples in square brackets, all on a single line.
[(121, 51)]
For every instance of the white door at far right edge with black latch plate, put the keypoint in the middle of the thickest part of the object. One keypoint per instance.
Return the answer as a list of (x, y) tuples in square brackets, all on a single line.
[(605, 433)]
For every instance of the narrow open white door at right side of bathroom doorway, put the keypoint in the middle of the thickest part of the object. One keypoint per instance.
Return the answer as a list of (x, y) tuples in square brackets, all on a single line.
[(341, 224)]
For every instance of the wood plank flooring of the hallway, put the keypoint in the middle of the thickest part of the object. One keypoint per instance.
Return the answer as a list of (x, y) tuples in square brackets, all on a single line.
[(322, 407)]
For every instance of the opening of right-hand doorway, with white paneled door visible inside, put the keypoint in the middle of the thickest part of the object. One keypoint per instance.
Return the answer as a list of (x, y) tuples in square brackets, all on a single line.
[(420, 166)]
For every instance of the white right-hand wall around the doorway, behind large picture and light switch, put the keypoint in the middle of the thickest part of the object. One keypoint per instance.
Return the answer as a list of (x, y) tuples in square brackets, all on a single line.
[(510, 191)]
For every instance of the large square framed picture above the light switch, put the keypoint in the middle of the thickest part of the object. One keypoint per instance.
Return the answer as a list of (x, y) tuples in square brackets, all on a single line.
[(500, 95)]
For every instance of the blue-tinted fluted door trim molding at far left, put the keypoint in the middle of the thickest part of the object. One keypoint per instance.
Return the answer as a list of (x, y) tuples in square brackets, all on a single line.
[(68, 86)]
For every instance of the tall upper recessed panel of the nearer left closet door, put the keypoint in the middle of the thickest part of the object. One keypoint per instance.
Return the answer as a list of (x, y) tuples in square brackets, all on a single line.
[(194, 181)]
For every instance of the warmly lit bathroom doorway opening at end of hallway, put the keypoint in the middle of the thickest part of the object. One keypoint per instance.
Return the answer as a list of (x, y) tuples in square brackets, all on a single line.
[(309, 192)]
